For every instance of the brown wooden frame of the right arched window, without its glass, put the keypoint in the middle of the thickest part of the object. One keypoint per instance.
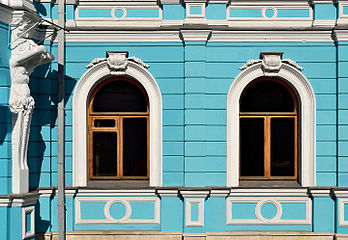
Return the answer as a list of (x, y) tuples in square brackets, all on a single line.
[(267, 116)]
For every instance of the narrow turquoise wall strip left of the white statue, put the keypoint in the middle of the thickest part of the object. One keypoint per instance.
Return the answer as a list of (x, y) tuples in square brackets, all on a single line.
[(5, 115)]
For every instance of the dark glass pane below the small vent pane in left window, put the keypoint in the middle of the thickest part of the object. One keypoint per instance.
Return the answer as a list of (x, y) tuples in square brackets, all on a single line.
[(104, 153)]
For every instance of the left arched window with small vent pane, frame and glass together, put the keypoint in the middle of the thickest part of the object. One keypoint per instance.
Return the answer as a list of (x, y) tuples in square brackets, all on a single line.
[(118, 134)]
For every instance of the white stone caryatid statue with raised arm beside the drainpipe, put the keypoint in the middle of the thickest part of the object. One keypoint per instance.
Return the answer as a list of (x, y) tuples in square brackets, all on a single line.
[(26, 55)]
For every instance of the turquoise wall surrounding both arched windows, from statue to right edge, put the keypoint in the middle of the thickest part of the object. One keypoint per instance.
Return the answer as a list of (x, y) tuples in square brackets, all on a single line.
[(194, 80)]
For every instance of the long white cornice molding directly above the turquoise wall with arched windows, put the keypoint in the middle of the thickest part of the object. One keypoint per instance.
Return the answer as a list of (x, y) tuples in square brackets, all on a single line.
[(216, 36)]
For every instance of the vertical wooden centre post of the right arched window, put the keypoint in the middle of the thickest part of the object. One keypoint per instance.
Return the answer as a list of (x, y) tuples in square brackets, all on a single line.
[(267, 147)]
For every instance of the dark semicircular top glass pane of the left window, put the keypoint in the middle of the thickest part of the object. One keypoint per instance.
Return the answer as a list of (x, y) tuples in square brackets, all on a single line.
[(119, 96)]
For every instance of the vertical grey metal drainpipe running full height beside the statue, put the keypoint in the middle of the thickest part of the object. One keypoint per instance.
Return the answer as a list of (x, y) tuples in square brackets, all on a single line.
[(61, 113)]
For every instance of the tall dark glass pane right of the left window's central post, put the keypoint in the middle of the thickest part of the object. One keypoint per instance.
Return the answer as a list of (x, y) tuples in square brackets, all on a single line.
[(135, 147)]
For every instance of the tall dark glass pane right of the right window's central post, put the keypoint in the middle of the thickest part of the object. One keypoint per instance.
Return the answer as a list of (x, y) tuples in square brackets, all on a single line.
[(282, 146)]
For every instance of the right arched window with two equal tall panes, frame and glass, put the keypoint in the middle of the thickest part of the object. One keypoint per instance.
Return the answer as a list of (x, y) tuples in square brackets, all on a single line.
[(268, 130)]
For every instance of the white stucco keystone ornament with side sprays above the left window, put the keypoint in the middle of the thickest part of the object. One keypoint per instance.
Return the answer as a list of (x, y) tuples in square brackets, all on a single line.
[(117, 62)]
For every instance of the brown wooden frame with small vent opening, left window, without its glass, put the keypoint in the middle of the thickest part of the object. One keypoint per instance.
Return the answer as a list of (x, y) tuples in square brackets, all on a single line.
[(118, 128)]
